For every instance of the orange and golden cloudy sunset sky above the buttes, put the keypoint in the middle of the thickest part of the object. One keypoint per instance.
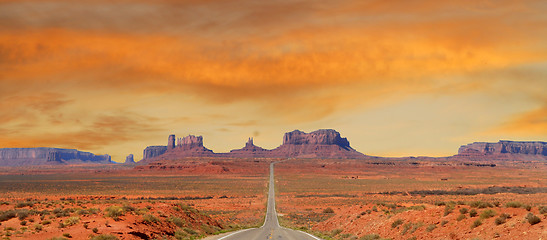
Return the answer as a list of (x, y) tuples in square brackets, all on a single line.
[(397, 78)]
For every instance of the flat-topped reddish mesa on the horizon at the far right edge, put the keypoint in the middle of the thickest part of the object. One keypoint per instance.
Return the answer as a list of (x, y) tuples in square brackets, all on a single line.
[(504, 150)]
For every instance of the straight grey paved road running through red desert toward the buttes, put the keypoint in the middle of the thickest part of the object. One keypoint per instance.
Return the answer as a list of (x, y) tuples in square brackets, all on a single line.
[(271, 228)]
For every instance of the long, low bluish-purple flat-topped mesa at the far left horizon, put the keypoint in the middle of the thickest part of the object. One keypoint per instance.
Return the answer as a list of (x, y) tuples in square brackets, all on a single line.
[(48, 156)]
